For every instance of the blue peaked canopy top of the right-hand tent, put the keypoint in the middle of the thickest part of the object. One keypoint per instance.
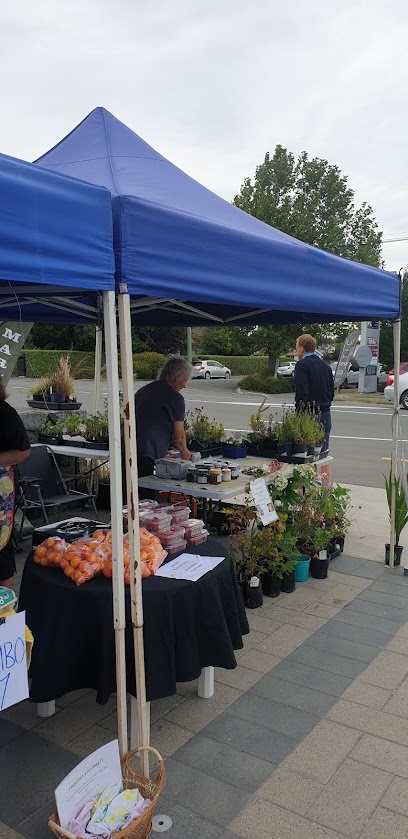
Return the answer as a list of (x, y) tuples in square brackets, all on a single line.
[(189, 257)]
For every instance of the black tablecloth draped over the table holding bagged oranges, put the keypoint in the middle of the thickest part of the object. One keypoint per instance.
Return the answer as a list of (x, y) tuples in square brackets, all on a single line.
[(187, 626)]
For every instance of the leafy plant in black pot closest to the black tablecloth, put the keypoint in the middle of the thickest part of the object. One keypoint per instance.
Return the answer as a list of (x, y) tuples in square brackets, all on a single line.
[(244, 554)]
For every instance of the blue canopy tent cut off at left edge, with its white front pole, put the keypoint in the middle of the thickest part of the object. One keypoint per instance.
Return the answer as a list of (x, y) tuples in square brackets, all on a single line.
[(57, 265)]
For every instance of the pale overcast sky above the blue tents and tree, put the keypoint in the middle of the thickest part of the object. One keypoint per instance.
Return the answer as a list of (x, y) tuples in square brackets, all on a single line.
[(213, 85)]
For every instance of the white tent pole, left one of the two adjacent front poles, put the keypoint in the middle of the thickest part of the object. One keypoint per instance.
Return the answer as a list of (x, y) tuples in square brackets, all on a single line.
[(118, 582)]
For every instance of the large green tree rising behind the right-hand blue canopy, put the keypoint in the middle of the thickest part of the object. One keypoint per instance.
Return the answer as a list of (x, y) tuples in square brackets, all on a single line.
[(309, 199)]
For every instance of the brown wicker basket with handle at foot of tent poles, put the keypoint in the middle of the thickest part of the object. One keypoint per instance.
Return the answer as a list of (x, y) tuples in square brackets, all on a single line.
[(149, 788)]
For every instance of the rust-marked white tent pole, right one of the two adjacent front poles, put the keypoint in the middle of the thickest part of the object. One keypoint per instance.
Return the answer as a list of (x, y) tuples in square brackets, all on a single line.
[(125, 333)]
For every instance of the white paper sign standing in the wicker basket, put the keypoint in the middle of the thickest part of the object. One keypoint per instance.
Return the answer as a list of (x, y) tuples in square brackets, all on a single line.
[(98, 771)]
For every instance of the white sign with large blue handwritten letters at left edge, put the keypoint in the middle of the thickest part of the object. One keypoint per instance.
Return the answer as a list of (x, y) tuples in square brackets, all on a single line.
[(13, 664)]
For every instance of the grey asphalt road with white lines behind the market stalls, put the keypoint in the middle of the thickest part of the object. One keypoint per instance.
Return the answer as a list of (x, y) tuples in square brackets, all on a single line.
[(360, 439)]
